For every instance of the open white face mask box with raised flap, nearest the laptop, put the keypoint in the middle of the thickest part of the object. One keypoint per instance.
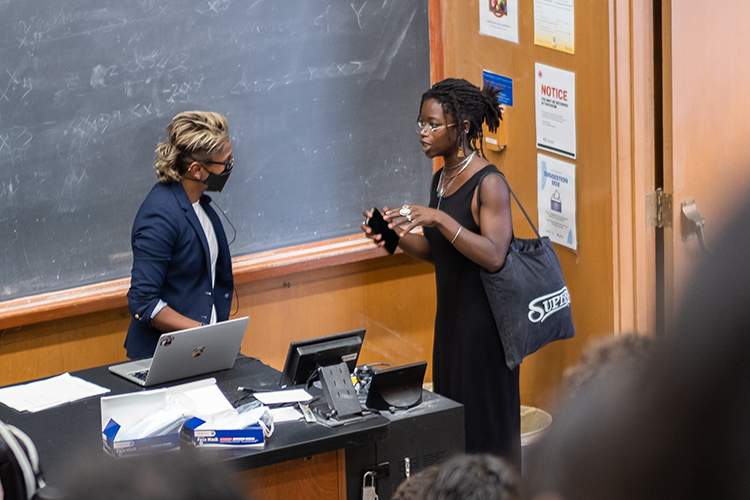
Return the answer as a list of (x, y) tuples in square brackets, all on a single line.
[(123, 413)]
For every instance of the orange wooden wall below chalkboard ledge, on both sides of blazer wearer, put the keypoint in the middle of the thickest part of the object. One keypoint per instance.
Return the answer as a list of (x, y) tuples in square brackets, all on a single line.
[(392, 297)]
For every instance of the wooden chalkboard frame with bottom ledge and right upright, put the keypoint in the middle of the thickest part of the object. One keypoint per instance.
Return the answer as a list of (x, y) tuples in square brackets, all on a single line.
[(112, 294)]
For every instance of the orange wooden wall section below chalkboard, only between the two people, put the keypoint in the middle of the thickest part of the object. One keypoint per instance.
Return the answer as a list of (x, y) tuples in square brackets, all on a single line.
[(395, 304)]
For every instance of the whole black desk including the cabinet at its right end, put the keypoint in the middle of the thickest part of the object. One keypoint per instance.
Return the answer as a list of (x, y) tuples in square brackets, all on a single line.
[(426, 434)]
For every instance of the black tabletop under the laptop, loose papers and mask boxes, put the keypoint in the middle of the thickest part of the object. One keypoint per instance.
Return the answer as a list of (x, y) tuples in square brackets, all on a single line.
[(65, 433)]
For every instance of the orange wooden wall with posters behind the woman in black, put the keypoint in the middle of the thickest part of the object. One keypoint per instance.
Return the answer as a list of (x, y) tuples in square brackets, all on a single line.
[(589, 273)]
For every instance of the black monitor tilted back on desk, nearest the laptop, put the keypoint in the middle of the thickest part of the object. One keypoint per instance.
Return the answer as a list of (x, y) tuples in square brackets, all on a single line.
[(305, 356)]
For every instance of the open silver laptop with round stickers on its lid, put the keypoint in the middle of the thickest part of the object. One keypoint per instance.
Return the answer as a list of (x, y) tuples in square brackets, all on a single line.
[(187, 353)]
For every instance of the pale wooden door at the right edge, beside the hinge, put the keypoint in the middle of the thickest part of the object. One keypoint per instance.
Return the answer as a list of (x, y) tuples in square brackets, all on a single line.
[(706, 112)]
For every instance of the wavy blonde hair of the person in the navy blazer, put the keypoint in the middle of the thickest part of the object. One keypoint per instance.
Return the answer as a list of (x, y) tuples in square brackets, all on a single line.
[(192, 135)]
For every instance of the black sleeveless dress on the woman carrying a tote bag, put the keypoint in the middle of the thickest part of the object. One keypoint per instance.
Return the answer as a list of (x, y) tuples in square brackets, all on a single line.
[(468, 360)]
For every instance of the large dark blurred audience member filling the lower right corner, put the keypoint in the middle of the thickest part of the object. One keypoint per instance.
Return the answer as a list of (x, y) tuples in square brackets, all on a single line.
[(677, 425)]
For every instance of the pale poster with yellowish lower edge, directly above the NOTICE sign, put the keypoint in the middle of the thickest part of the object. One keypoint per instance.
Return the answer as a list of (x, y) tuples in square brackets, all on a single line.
[(554, 25)]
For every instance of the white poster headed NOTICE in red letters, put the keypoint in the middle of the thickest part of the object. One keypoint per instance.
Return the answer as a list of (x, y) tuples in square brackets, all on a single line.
[(555, 110)]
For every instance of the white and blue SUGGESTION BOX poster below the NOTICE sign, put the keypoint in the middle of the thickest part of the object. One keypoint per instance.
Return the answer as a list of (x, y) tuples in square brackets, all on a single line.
[(556, 200)]
